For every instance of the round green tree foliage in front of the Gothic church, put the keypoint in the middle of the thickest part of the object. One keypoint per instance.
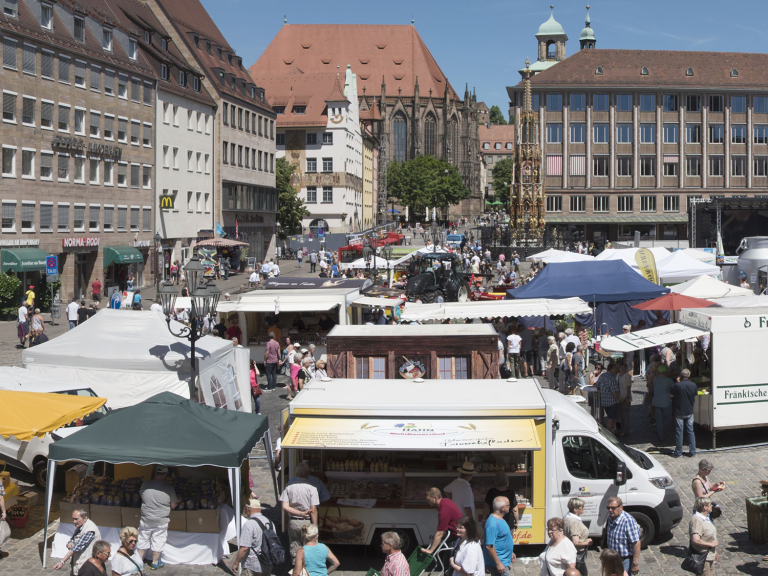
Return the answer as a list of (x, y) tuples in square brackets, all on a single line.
[(425, 182)]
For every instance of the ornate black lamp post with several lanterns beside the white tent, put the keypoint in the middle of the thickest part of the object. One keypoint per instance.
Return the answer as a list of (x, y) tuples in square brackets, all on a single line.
[(205, 299)]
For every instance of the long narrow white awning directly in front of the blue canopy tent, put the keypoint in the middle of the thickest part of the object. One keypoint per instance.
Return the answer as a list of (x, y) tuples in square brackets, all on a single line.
[(494, 308)]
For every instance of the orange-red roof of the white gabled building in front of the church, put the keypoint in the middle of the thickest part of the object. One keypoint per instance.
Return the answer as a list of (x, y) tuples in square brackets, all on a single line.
[(295, 89)]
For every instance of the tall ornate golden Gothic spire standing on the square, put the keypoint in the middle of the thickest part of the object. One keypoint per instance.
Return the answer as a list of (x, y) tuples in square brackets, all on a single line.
[(528, 208)]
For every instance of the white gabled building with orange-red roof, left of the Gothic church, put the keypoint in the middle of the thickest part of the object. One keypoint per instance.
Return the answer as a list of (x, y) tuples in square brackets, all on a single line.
[(318, 131)]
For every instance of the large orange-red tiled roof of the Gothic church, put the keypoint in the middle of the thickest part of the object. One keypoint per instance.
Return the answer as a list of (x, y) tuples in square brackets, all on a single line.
[(395, 52)]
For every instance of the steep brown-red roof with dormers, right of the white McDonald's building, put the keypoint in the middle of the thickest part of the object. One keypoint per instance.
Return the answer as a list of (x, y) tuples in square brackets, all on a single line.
[(183, 13)]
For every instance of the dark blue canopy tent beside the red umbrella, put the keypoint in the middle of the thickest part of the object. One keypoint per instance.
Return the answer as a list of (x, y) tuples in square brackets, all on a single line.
[(611, 285)]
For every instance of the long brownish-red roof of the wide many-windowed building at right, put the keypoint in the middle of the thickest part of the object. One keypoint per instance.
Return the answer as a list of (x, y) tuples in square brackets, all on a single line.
[(665, 68)]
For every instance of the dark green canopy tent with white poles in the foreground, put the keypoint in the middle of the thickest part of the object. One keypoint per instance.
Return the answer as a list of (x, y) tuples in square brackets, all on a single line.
[(169, 430)]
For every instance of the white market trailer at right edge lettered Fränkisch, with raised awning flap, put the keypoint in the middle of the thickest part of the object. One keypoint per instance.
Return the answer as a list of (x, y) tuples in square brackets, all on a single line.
[(733, 391)]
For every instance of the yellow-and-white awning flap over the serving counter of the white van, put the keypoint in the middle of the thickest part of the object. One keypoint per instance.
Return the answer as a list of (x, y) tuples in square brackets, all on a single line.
[(404, 434)]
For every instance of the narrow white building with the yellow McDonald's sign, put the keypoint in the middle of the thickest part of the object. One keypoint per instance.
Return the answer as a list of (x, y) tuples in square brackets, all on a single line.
[(184, 161)]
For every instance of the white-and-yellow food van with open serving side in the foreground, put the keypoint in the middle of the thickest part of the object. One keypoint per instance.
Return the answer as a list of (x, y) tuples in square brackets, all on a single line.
[(379, 448)]
